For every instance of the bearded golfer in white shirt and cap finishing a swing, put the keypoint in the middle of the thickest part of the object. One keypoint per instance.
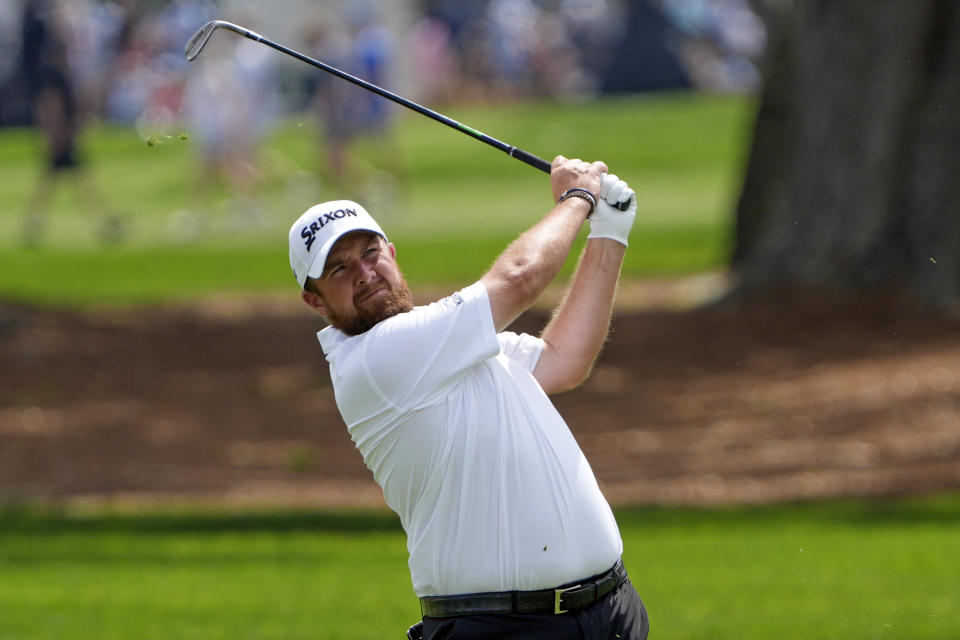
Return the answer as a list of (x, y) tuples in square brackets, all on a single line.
[(508, 533)]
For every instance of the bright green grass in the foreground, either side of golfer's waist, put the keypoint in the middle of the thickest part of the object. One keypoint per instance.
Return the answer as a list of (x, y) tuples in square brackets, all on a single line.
[(845, 570)]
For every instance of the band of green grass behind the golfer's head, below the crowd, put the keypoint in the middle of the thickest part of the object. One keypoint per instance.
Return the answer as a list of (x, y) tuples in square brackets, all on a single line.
[(453, 205)]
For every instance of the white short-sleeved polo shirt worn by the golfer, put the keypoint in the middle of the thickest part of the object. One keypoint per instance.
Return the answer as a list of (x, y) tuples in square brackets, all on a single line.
[(491, 488)]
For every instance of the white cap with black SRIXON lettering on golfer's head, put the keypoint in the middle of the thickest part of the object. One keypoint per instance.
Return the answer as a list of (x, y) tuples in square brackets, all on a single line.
[(315, 232)]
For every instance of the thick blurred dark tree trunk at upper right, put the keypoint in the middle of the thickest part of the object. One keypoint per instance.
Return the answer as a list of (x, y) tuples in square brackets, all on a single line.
[(854, 174)]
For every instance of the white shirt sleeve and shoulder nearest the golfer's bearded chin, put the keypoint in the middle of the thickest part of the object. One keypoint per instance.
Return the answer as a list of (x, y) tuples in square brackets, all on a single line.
[(415, 357)]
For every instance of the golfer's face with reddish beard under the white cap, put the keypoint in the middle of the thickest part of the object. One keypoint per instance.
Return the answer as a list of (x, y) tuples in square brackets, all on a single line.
[(361, 284)]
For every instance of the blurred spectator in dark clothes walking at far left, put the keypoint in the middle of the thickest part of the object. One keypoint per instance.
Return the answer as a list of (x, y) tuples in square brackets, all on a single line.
[(55, 110)]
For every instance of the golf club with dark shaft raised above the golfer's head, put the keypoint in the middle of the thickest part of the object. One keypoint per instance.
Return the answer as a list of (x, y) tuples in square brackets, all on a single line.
[(202, 36)]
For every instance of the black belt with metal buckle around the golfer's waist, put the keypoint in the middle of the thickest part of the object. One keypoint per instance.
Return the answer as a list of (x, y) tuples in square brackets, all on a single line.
[(560, 600)]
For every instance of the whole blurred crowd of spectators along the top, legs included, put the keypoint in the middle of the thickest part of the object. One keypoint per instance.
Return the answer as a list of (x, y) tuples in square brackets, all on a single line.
[(64, 63)]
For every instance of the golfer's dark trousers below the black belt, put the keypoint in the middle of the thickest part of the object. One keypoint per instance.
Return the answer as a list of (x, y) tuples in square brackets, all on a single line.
[(619, 616)]
